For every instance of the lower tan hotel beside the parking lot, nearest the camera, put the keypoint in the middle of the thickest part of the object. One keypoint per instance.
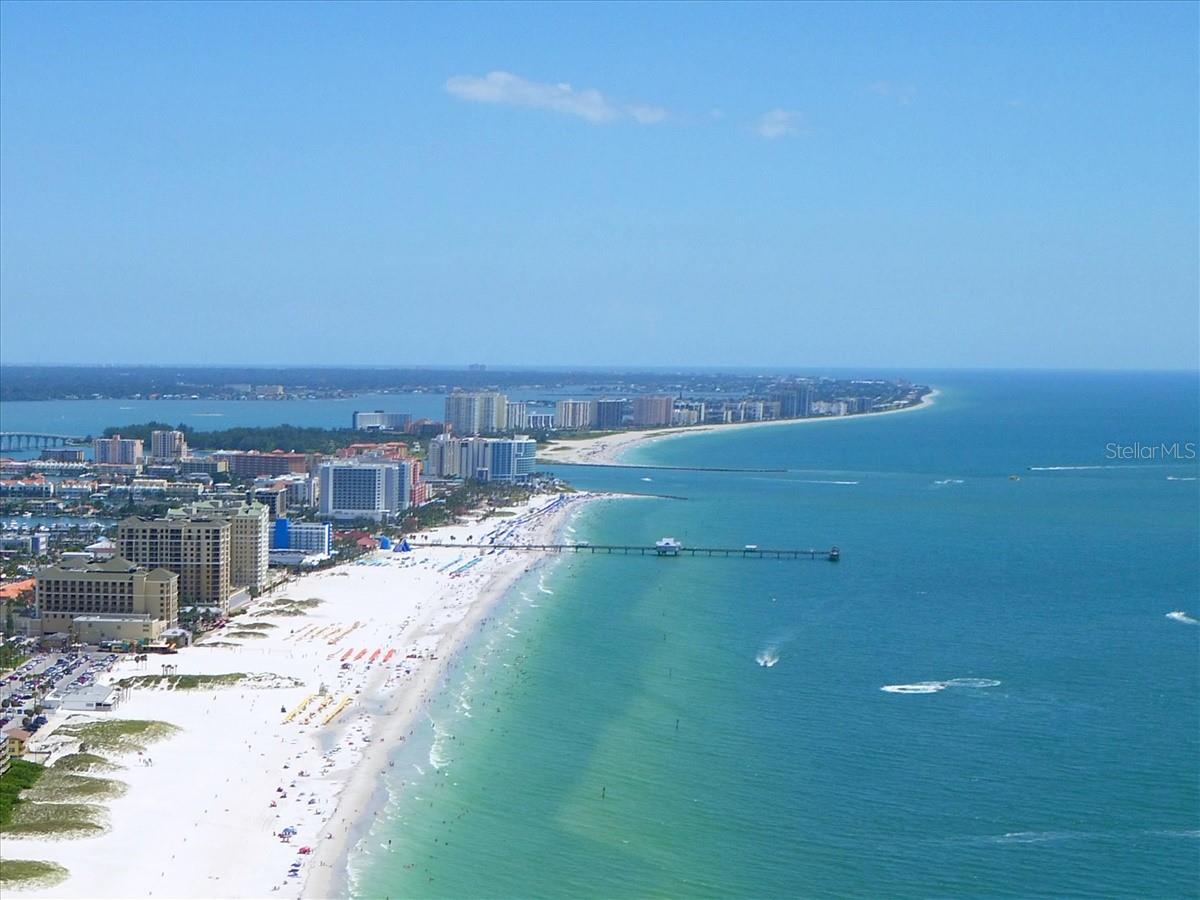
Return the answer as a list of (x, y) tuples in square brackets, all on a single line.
[(111, 601)]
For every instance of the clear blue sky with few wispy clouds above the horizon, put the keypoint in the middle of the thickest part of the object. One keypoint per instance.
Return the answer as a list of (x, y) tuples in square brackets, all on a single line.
[(998, 185)]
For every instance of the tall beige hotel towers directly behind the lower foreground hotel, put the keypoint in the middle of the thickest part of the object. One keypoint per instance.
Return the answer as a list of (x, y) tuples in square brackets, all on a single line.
[(195, 548)]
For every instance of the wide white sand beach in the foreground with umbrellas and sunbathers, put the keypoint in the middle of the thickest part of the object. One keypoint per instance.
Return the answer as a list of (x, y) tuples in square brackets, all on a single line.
[(205, 819)]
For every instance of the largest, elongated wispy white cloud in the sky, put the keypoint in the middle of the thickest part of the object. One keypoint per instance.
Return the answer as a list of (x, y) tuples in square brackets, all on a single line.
[(507, 89)]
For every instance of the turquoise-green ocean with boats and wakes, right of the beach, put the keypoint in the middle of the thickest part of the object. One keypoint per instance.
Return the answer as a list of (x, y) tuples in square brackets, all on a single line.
[(988, 697)]
